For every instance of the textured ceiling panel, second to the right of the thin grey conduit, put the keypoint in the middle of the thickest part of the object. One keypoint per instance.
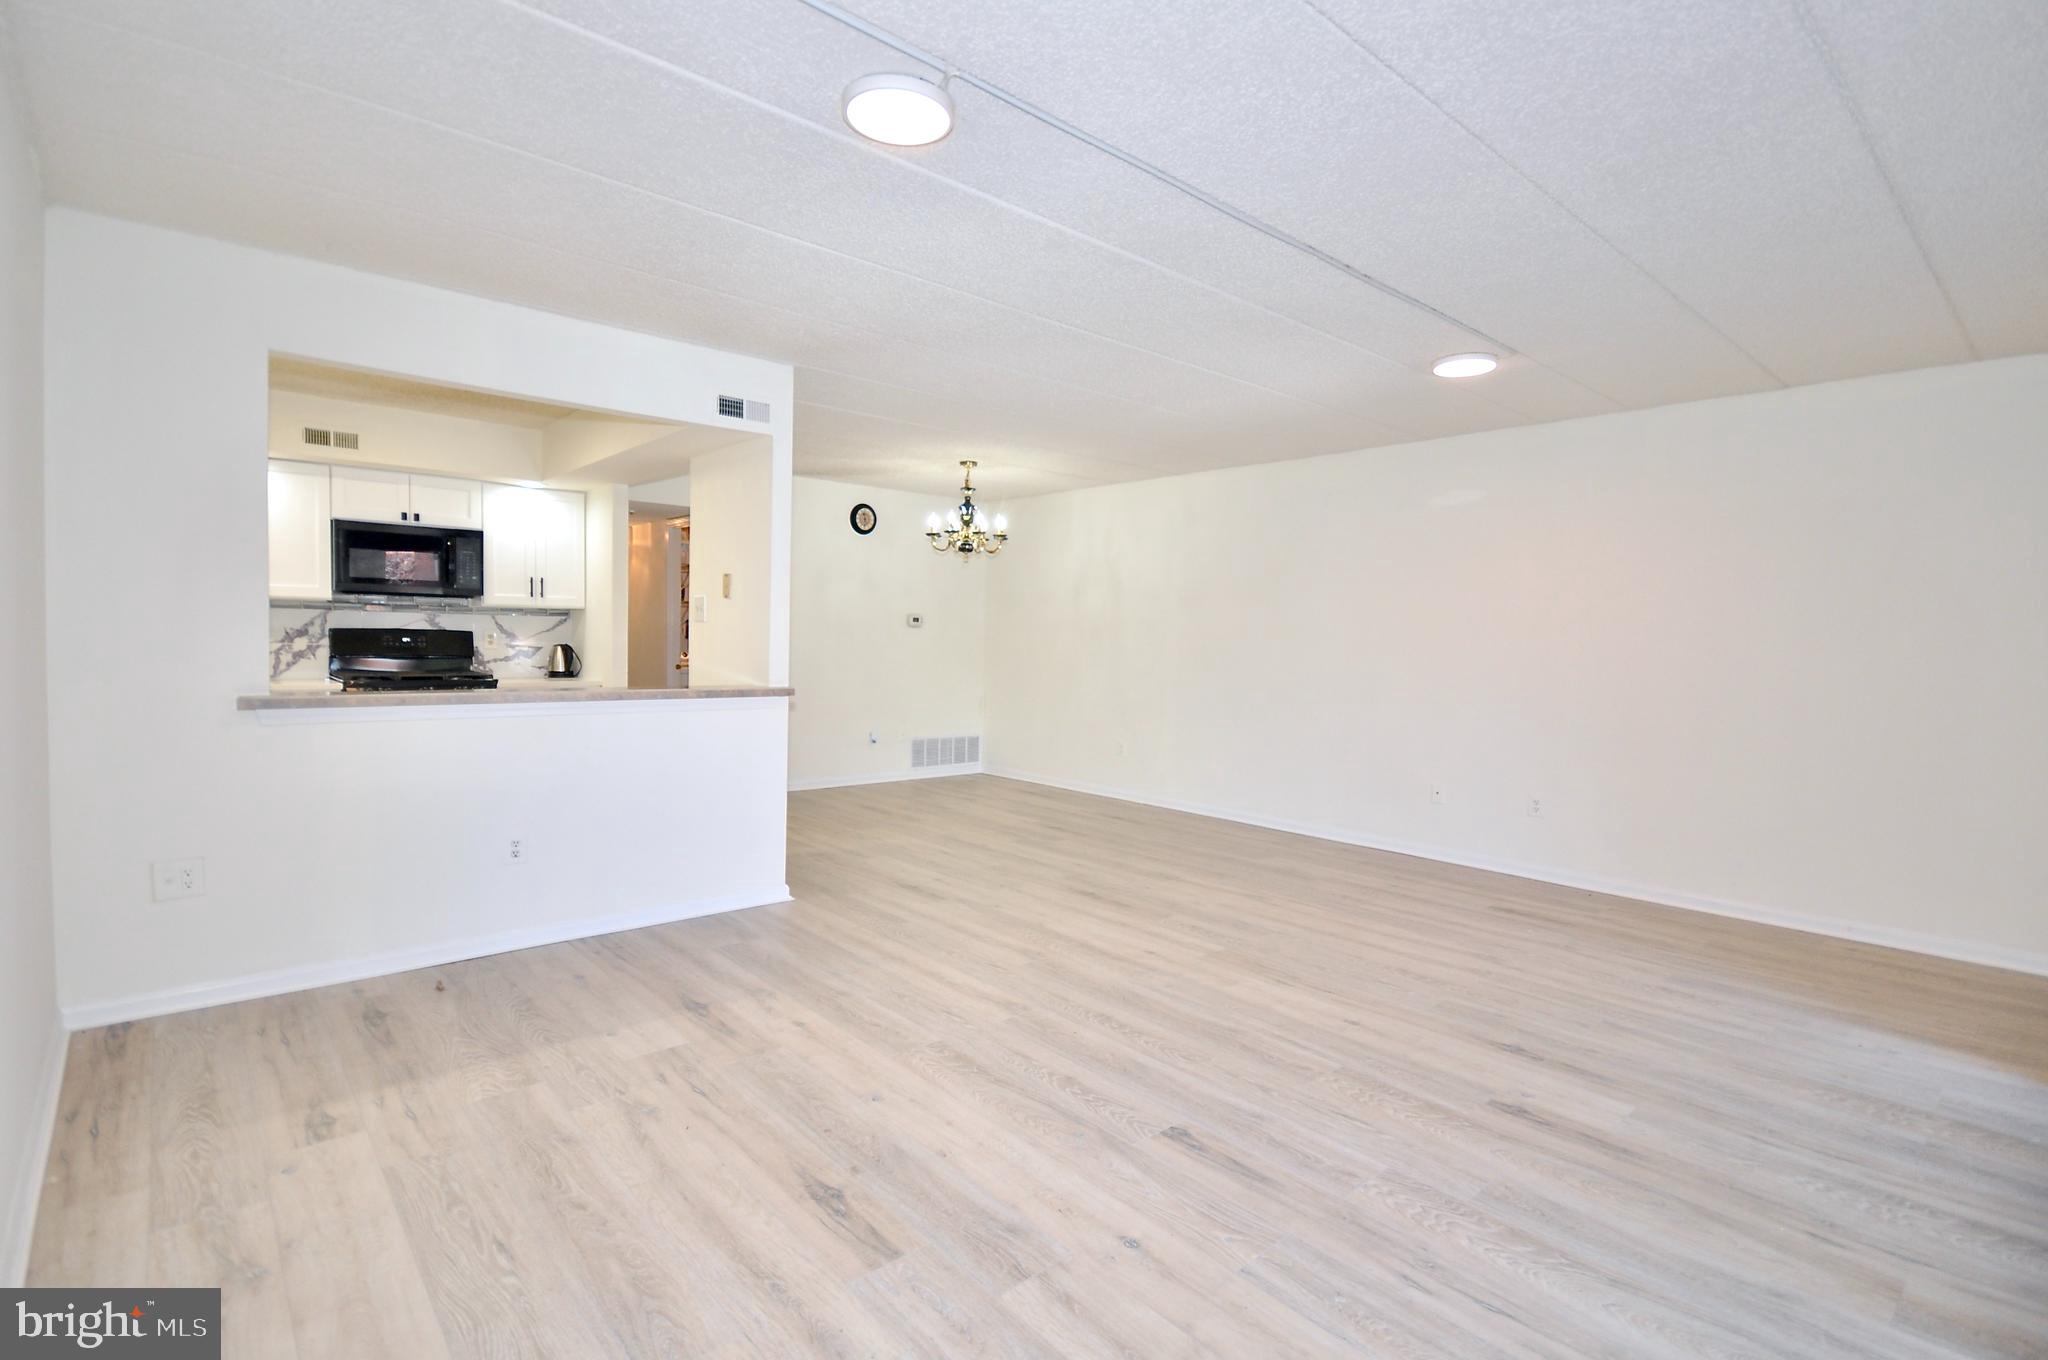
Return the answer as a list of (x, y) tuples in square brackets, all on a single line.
[(1709, 144)]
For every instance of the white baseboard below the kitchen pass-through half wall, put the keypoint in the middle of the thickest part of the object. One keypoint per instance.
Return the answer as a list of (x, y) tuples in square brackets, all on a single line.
[(280, 982)]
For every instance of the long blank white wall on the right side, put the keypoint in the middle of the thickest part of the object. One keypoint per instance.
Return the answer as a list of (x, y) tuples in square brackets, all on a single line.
[(1781, 656)]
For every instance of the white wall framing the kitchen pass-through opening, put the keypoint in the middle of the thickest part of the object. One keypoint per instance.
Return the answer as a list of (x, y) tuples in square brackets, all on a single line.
[(333, 847)]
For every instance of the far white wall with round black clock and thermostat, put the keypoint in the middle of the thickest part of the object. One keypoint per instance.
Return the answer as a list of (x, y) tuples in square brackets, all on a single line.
[(855, 663)]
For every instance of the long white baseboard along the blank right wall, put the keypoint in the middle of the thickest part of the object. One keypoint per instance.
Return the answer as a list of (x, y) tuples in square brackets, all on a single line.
[(1912, 941)]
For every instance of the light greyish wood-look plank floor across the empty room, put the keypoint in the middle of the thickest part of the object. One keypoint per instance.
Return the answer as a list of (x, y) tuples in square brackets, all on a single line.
[(1148, 1087)]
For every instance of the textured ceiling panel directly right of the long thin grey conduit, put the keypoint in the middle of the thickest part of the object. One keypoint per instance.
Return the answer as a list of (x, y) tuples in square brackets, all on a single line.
[(1269, 110)]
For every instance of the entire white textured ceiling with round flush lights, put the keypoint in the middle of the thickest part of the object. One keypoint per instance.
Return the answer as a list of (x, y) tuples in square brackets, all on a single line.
[(1641, 202)]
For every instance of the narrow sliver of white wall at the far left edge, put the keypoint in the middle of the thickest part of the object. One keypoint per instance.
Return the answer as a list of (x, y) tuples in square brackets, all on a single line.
[(30, 1035)]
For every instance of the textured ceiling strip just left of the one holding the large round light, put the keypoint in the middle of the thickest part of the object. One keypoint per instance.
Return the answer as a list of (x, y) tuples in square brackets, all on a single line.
[(701, 146)]
